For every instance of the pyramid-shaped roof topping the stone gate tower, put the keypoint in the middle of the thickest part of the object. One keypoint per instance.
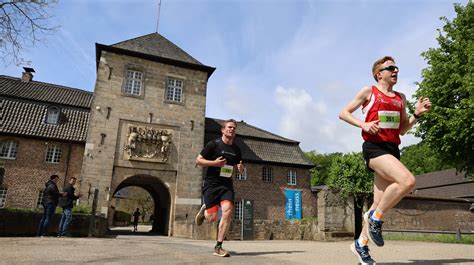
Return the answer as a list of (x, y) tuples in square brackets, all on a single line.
[(155, 47)]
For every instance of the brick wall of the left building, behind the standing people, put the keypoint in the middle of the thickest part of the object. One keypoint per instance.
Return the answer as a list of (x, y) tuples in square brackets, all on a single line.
[(26, 175)]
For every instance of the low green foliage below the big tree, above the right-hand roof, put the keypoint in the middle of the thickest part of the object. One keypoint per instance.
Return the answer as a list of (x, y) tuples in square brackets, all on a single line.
[(420, 159)]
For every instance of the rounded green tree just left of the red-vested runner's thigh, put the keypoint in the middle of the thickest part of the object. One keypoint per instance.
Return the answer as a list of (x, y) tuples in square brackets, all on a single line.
[(348, 175)]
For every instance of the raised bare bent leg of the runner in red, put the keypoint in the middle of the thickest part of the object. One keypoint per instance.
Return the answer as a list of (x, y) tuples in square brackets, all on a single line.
[(401, 180)]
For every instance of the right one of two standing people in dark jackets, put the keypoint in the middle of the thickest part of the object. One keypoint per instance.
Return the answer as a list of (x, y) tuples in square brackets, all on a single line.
[(67, 203)]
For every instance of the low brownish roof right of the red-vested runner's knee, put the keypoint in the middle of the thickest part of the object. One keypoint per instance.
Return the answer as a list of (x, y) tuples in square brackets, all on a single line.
[(444, 184)]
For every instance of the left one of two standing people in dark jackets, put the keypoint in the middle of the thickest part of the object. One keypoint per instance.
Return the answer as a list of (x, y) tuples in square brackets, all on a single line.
[(51, 196)]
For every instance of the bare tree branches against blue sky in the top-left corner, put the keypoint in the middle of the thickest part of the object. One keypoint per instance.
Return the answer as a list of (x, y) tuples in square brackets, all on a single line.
[(21, 25)]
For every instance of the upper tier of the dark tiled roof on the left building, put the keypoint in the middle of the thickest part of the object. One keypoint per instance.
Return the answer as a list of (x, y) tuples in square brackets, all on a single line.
[(44, 92)]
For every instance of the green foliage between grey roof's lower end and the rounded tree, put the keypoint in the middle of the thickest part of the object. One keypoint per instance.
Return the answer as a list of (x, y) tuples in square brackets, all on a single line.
[(319, 173)]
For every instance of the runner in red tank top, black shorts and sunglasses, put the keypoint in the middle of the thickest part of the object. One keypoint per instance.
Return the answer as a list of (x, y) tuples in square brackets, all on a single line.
[(385, 120)]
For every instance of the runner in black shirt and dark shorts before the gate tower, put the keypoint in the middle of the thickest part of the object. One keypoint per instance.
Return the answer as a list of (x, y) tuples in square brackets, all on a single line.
[(221, 157)]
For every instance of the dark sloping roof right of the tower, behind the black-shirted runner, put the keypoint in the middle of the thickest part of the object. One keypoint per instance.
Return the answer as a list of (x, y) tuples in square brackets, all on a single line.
[(260, 146)]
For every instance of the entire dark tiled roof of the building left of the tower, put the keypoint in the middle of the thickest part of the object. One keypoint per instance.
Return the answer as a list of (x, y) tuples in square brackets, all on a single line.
[(25, 104)]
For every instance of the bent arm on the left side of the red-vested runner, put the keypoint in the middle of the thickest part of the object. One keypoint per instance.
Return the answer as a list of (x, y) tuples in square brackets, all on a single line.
[(346, 114)]
